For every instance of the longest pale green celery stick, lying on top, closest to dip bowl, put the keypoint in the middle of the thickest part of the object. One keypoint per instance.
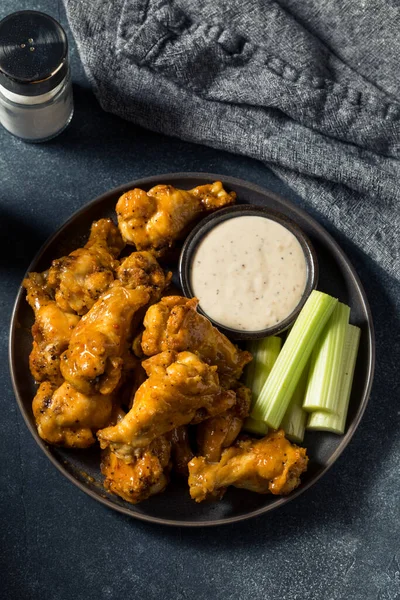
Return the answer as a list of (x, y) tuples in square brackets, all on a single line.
[(275, 396)]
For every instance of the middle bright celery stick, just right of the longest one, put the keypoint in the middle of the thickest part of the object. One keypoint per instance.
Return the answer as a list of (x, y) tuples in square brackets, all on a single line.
[(326, 361)]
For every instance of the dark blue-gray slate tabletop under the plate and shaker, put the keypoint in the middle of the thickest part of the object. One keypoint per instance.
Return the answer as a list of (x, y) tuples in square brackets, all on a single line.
[(340, 540)]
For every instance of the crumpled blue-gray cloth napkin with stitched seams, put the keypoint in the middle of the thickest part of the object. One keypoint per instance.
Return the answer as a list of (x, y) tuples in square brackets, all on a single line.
[(311, 88)]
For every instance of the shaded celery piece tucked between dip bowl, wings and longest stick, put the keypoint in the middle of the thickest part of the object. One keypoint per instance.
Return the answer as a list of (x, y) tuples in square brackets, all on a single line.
[(265, 352)]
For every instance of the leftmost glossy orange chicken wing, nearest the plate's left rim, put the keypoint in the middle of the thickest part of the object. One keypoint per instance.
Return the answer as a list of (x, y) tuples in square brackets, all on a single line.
[(51, 331)]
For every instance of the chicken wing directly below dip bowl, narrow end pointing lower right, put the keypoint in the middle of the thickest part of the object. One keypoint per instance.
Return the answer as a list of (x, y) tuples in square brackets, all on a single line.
[(174, 324)]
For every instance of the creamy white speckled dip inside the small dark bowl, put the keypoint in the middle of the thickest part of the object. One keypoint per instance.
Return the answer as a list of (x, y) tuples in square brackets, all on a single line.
[(248, 273)]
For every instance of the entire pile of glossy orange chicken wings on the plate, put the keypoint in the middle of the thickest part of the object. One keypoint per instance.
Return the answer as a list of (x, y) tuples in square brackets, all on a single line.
[(120, 358)]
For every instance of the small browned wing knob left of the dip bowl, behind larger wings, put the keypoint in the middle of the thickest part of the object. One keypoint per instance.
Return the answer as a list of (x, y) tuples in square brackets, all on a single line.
[(141, 269)]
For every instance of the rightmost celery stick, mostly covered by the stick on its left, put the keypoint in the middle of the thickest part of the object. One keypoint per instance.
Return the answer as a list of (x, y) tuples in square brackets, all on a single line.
[(323, 421)]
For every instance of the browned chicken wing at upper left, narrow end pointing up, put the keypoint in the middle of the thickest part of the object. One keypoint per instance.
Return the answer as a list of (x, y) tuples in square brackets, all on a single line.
[(81, 277)]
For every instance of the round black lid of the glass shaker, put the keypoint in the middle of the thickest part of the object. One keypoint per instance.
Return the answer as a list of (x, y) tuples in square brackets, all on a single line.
[(33, 53)]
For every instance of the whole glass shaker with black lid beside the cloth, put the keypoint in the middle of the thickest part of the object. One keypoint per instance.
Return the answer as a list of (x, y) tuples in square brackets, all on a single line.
[(36, 101)]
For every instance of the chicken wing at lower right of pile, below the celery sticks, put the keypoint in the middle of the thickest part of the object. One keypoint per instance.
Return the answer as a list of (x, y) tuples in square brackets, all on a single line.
[(271, 464)]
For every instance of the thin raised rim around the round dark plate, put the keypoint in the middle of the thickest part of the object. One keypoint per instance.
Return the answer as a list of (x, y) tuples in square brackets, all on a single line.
[(227, 180)]
